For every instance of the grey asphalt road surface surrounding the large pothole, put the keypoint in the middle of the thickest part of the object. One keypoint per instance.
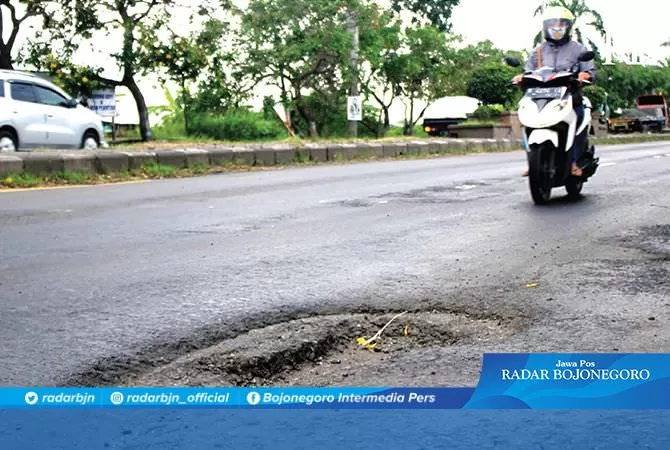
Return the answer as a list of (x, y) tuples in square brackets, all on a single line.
[(94, 272)]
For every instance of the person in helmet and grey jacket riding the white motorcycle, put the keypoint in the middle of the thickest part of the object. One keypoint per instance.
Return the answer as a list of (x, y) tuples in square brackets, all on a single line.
[(561, 52)]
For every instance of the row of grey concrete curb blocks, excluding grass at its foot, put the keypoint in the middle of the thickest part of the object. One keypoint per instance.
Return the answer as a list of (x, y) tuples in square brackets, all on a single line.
[(120, 160)]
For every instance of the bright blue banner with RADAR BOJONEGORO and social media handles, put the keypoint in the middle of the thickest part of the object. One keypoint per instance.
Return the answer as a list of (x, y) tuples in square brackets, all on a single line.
[(507, 381)]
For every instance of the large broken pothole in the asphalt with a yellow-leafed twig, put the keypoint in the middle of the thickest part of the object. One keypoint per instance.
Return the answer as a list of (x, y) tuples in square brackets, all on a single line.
[(322, 350)]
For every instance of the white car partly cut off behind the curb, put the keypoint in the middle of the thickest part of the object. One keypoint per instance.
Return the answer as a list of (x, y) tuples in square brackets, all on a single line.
[(35, 113)]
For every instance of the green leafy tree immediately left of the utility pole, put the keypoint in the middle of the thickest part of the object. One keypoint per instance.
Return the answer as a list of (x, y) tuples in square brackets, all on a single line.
[(300, 46)]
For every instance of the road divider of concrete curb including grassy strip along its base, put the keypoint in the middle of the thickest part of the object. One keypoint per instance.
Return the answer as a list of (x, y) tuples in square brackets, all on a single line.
[(28, 169)]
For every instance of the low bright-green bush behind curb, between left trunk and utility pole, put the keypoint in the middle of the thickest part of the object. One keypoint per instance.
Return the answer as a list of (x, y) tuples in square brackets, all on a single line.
[(236, 126)]
